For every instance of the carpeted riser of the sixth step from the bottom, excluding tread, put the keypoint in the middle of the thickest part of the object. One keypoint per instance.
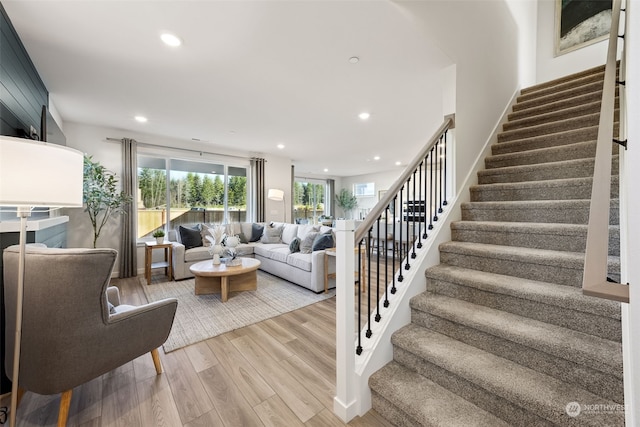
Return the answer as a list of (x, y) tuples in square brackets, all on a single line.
[(555, 241)]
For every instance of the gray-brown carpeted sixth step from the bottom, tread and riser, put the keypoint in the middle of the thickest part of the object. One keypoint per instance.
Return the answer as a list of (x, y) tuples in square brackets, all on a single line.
[(557, 237)]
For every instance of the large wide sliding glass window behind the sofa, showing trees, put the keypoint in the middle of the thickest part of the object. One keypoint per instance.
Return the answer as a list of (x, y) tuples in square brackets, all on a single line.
[(186, 192)]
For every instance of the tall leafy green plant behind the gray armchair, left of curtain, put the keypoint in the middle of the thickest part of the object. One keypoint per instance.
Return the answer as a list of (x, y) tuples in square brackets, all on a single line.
[(100, 195)]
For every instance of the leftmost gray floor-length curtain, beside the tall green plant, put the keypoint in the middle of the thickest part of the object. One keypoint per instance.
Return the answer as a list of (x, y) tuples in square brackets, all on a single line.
[(128, 258)]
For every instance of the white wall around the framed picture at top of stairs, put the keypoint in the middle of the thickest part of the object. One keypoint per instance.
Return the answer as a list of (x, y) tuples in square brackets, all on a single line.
[(550, 67)]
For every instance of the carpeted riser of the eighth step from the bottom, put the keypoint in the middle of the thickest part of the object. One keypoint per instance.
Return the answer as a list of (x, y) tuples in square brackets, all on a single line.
[(567, 190)]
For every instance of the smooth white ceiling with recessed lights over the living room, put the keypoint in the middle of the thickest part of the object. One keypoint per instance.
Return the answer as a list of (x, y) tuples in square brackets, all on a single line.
[(249, 75)]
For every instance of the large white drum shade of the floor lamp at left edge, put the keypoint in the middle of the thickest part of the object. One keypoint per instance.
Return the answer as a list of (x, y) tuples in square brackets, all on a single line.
[(34, 173)]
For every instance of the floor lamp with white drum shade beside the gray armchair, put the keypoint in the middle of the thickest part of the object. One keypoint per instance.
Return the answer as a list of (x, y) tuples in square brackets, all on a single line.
[(34, 173)]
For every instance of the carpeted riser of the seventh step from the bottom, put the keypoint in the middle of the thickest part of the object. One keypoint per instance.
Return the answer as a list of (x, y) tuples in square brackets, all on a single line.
[(556, 213)]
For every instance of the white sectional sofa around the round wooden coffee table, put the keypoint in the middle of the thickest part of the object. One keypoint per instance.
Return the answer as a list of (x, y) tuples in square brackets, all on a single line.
[(304, 269)]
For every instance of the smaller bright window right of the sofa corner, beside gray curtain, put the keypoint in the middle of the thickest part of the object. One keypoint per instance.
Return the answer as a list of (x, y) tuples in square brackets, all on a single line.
[(309, 200)]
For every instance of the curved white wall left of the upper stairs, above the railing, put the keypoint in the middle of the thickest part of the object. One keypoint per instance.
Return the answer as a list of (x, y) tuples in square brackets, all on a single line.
[(481, 38)]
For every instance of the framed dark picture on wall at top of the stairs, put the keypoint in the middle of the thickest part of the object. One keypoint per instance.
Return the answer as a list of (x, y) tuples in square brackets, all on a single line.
[(580, 23)]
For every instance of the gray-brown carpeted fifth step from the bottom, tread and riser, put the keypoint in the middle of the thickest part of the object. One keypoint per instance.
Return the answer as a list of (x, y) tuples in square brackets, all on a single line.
[(563, 268)]
